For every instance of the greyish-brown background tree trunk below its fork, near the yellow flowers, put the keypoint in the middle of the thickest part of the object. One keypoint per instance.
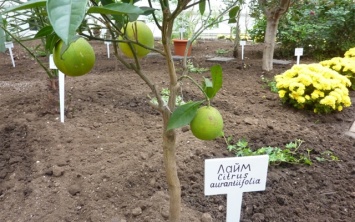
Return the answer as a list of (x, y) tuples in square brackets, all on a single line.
[(269, 44)]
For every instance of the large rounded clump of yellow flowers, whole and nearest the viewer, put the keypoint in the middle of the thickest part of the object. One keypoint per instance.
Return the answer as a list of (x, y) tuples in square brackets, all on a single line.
[(313, 85)]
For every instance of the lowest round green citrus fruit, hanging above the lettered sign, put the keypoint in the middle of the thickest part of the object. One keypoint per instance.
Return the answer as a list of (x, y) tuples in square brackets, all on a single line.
[(207, 123)]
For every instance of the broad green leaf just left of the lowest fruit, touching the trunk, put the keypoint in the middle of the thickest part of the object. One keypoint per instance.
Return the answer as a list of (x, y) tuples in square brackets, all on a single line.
[(183, 115)]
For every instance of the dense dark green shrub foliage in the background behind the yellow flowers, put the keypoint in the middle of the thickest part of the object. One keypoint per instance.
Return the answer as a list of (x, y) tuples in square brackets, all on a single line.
[(324, 28)]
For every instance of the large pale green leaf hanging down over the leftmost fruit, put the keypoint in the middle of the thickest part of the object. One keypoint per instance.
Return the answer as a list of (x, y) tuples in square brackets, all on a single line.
[(66, 17)]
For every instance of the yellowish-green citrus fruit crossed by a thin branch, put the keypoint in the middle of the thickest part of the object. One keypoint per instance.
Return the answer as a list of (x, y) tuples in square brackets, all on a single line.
[(140, 32)]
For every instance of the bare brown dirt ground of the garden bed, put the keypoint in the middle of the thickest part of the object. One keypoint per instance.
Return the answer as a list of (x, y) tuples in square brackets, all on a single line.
[(105, 162)]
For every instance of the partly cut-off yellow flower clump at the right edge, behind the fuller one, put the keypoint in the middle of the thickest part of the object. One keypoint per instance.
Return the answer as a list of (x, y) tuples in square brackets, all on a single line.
[(341, 65)]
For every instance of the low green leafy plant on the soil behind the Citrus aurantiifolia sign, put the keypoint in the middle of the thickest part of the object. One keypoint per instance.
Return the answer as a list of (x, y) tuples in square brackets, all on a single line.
[(289, 154)]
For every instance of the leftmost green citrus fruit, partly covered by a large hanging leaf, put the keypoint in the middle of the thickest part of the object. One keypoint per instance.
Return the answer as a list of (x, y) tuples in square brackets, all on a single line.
[(77, 60)]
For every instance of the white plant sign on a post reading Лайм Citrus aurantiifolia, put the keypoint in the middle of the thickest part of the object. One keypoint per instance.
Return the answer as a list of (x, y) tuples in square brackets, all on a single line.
[(233, 176)]
